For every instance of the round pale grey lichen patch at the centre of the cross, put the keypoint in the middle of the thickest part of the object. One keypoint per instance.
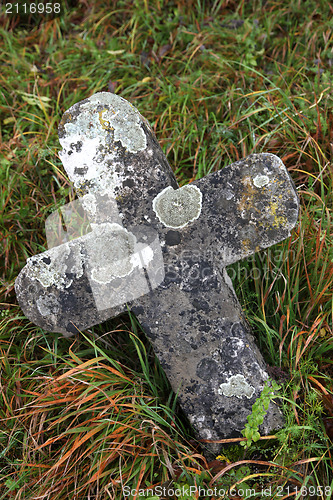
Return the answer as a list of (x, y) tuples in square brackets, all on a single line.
[(176, 208)]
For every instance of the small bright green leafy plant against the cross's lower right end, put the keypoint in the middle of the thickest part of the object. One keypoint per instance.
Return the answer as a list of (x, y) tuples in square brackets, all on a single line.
[(259, 410)]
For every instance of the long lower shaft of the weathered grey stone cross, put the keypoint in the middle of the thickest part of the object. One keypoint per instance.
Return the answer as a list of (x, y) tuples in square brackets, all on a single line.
[(208, 353)]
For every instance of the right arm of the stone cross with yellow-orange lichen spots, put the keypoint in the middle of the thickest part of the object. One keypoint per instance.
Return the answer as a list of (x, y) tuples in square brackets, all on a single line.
[(247, 206)]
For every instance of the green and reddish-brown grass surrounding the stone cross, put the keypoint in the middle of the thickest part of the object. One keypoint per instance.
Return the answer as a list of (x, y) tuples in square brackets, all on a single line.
[(85, 417)]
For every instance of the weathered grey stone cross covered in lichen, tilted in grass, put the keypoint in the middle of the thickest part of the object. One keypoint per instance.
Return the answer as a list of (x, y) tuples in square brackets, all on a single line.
[(161, 250)]
